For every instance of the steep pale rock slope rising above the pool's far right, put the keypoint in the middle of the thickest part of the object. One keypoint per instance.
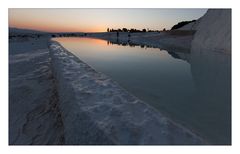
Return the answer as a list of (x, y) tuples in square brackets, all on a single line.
[(214, 31)]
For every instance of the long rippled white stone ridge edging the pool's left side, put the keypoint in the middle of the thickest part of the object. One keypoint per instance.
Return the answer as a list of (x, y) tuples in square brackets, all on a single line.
[(96, 110)]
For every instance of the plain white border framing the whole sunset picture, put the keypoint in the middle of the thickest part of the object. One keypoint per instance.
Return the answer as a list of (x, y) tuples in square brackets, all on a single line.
[(5, 4)]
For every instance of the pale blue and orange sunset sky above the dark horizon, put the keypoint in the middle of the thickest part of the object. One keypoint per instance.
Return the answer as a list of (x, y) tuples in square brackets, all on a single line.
[(98, 20)]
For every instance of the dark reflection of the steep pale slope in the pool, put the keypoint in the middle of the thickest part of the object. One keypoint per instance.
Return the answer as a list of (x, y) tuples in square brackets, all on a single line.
[(211, 73)]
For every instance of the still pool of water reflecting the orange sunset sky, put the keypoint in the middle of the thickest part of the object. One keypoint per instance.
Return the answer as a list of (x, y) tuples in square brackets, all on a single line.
[(193, 89)]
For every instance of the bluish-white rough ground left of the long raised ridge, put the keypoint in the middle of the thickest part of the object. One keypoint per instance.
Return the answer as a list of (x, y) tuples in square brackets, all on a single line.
[(33, 114)]
